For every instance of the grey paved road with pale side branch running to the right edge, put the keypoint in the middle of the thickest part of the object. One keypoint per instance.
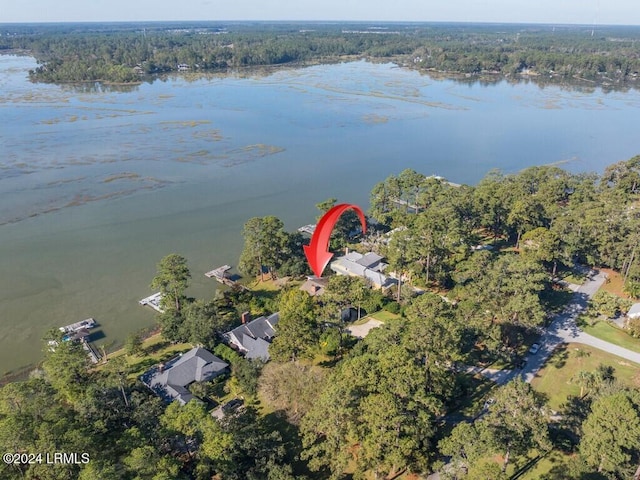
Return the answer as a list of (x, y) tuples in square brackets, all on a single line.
[(564, 329)]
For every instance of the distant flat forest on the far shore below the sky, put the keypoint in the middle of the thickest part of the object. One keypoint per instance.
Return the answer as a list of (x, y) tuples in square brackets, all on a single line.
[(124, 53)]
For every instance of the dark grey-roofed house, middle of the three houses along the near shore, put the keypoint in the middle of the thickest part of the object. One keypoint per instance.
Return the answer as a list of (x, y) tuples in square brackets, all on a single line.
[(253, 338)]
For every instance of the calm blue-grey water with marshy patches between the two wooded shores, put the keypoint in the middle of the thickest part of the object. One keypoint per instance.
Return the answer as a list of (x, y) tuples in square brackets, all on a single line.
[(97, 186)]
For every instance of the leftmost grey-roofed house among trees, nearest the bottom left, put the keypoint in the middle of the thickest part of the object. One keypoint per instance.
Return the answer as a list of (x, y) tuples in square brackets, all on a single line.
[(170, 381)]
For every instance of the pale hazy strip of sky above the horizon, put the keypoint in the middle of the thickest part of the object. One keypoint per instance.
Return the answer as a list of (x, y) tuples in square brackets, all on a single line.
[(521, 11)]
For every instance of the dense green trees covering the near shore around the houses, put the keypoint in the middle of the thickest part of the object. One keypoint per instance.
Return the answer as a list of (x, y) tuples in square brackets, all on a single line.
[(330, 406)]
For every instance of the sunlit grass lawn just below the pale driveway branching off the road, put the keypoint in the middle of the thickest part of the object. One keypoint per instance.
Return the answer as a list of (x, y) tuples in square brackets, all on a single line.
[(554, 379)]
